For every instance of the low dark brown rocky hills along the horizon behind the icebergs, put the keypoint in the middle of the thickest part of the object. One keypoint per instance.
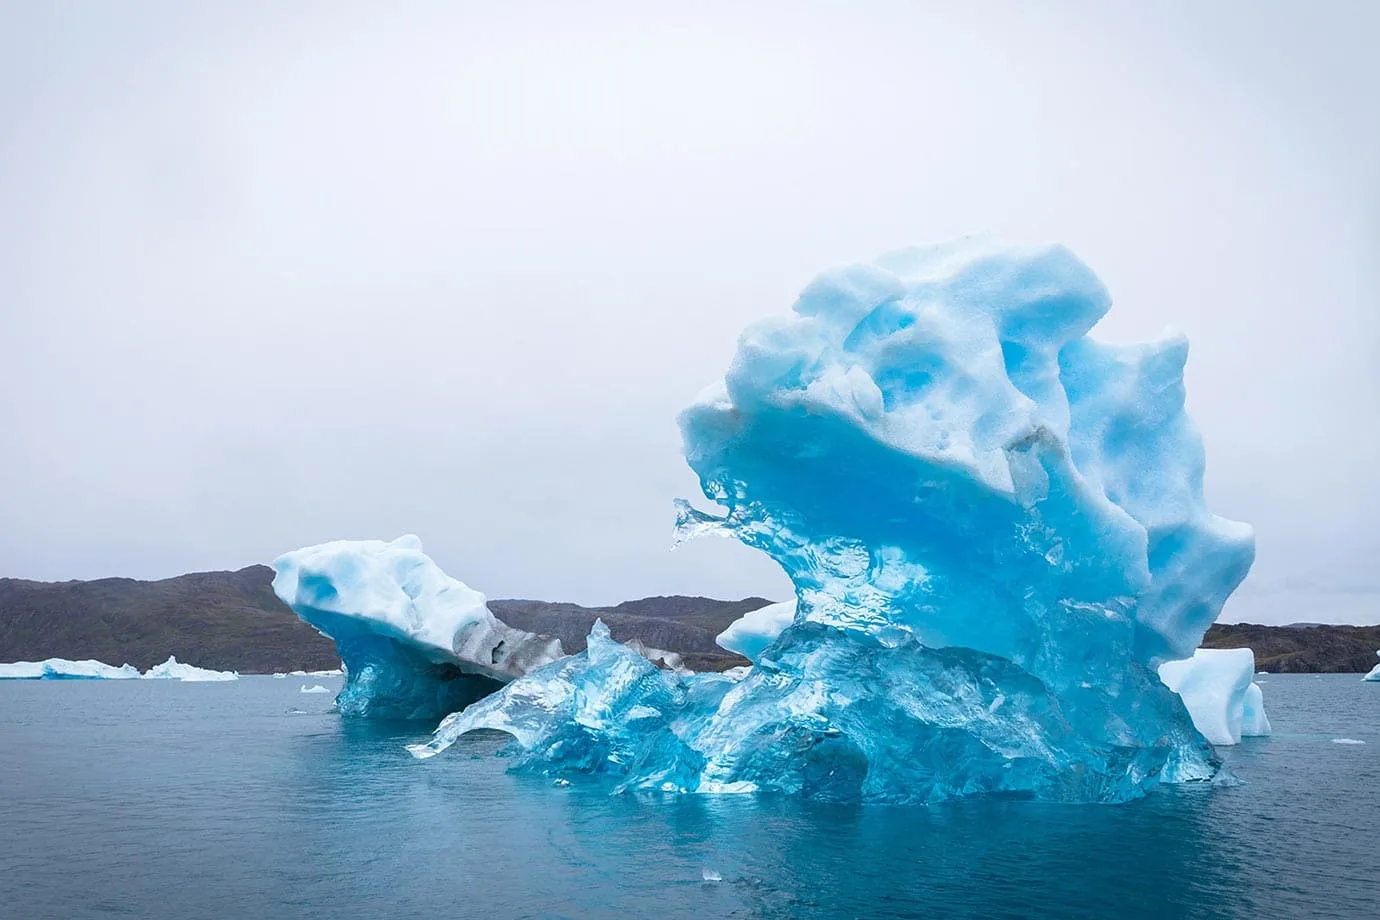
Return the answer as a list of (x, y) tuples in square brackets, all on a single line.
[(234, 621)]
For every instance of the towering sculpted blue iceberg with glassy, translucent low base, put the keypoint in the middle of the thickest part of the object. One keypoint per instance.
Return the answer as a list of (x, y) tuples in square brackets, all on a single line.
[(996, 529)]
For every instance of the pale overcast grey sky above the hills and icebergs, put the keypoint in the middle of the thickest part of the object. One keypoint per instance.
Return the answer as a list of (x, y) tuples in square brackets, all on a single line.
[(275, 274)]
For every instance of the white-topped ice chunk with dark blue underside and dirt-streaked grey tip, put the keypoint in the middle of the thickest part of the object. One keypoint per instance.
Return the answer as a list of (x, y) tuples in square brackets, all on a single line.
[(416, 642)]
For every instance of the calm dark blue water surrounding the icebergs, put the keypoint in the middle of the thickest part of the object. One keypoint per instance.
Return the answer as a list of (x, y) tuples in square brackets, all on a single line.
[(158, 799)]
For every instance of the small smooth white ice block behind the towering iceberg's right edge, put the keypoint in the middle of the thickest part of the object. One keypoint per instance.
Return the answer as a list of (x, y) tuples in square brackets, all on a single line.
[(1215, 683)]
